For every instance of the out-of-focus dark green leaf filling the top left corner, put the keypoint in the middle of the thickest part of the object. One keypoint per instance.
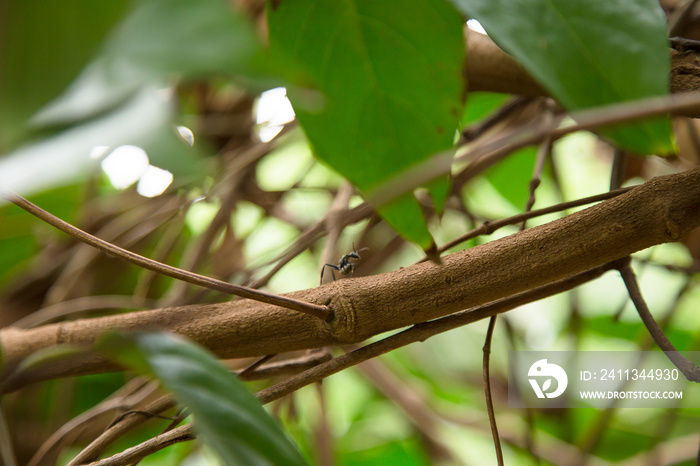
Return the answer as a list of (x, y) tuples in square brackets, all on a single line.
[(41, 55)]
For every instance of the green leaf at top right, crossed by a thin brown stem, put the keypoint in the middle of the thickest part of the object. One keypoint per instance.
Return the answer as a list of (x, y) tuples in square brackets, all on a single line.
[(589, 54)]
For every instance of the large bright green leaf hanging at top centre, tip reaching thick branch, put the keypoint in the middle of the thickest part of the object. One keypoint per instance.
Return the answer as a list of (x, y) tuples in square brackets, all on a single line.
[(389, 74)]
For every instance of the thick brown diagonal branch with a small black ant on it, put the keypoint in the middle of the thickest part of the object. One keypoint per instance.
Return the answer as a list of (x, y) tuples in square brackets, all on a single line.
[(662, 210)]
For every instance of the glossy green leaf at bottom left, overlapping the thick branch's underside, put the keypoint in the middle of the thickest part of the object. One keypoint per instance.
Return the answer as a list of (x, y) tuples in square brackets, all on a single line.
[(229, 418)]
